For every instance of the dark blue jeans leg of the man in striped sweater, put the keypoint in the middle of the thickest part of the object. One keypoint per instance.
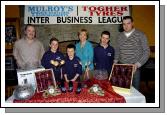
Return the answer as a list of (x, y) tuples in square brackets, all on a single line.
[(136, 79)]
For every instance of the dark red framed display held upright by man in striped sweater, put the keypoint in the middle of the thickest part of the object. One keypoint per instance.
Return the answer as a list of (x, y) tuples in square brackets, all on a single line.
[(121, 77)]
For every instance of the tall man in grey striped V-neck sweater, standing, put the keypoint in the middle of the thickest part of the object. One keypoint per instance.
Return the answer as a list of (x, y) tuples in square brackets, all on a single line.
[(132, 48)]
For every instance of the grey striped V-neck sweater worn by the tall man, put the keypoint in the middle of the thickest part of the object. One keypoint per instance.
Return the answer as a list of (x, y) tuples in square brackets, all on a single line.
[(132, 49)]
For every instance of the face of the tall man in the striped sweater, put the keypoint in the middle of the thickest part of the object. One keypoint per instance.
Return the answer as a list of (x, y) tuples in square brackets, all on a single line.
[(127, 25)]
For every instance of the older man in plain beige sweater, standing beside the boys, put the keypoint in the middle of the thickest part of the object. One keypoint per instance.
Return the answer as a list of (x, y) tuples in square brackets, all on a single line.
[(28, 51)]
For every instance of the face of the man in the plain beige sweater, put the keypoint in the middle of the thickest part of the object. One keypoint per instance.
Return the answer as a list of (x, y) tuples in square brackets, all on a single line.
[(30, 32)]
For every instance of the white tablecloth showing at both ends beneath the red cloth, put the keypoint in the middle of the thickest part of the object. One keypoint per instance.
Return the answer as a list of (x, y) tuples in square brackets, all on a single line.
[(134, 97)]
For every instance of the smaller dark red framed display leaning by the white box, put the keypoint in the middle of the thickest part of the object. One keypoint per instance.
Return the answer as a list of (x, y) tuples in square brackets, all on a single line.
[(44, 79)]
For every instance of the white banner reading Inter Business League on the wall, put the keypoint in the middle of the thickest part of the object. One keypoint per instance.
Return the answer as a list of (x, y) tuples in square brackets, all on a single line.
[(42, 14)]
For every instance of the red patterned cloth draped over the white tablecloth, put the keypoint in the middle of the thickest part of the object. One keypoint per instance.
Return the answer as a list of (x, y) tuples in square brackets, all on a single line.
[(84, 97)]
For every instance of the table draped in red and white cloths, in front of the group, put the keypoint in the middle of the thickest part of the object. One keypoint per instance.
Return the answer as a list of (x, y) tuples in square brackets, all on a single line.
[(85, 97)]
